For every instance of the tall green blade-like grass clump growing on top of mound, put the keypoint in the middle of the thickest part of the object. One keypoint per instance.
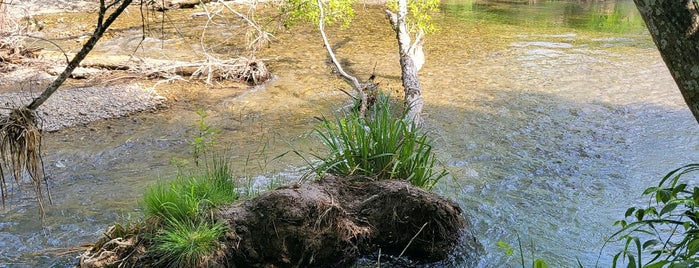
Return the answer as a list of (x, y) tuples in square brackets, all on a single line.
[(379, 146)]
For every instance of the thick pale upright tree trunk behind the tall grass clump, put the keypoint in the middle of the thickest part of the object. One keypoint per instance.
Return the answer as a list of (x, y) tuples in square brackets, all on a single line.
[(411, 84)]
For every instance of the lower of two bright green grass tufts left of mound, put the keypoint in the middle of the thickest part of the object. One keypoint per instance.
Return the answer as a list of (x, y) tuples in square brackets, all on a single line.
[(187, 244)]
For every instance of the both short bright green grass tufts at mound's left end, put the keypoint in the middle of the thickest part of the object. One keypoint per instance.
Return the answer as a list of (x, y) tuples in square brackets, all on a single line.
[(186, 236)]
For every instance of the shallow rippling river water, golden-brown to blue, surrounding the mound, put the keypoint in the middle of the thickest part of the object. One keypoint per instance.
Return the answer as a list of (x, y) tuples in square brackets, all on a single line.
[(552, 118)]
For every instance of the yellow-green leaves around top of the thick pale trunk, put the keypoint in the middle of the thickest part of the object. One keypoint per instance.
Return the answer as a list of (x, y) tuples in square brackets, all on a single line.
[(419, 14)]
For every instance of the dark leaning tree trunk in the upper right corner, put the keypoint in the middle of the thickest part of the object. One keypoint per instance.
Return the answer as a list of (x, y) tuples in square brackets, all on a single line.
[(674, 25)]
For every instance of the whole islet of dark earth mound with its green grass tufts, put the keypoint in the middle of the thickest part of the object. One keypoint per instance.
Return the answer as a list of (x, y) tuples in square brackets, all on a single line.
[(183, 226)]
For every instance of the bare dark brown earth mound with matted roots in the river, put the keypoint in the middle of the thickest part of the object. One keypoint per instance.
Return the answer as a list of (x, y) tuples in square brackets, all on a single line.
[(334, 222)]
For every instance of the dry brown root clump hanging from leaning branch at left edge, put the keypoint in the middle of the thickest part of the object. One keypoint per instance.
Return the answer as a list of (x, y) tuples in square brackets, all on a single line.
[(20, 152)]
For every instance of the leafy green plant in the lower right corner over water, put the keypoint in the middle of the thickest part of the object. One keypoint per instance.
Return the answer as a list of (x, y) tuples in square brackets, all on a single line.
[(667, 230)]
